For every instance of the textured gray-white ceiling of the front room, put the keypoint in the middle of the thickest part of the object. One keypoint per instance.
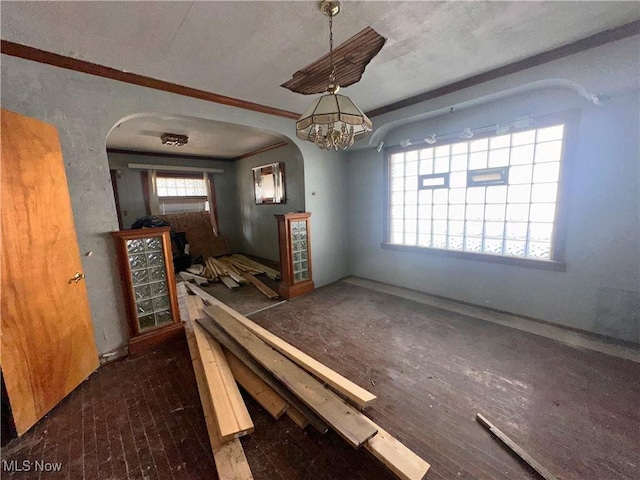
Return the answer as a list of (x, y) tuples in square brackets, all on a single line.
[(247, 49)]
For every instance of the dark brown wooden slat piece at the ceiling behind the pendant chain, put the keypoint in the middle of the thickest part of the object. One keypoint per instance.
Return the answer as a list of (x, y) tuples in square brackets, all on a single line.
[(350, 60)]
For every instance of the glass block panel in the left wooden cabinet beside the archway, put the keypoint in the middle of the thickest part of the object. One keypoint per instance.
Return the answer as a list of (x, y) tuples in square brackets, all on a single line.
[(149, 278)]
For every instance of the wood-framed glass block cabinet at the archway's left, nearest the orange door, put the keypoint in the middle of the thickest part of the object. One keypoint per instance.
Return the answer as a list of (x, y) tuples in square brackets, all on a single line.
[(148, 284)]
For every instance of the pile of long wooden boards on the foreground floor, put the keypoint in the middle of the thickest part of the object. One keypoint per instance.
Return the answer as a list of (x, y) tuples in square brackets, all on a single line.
[(225, 345)]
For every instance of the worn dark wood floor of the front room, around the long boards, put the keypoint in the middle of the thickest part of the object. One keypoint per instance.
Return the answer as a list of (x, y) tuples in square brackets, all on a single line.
[(575, 411)]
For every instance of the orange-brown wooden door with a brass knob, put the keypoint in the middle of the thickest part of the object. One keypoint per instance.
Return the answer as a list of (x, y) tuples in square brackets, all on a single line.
[(48, 347)]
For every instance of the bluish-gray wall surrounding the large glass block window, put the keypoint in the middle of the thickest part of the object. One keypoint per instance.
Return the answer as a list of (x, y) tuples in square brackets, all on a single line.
[(599, 290)]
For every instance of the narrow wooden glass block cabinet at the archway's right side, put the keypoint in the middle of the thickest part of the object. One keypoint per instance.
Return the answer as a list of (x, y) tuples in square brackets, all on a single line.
[(295, 254)]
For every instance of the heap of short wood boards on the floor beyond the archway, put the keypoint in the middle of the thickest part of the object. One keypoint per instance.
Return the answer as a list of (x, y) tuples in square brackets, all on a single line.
[(232, 271)]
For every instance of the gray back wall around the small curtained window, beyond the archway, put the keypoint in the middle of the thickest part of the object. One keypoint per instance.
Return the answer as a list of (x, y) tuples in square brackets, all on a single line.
[(130, 187)]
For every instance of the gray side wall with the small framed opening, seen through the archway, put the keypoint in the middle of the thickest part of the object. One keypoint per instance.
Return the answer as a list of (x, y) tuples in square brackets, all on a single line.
[(258, 233)]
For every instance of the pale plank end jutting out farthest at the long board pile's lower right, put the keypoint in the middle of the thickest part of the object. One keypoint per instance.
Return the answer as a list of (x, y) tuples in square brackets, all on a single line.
[(404, 463)]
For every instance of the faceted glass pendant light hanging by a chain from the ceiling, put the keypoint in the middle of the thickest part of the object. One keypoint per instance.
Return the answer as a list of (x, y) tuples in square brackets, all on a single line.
[(332, 121)]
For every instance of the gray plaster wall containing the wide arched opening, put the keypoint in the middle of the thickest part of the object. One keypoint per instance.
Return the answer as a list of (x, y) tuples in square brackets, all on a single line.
[(84, 108)]
